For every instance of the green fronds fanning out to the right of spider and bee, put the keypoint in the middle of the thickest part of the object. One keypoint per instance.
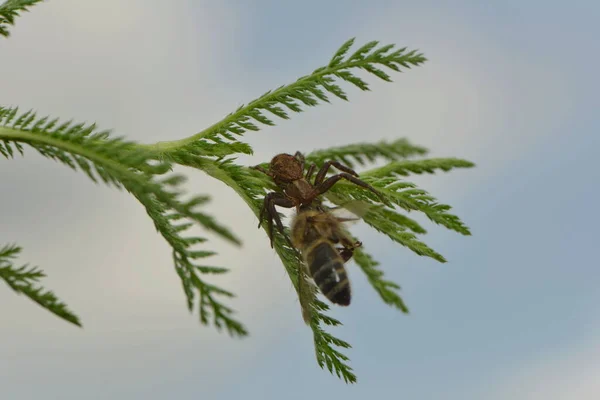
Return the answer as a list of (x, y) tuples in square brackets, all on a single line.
[(388, 221)]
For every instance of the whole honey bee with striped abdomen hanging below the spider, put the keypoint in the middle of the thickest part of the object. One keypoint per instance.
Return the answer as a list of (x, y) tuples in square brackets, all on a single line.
[(315, 232)]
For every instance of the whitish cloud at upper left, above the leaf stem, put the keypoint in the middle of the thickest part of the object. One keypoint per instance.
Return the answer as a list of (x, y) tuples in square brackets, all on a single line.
[(142, 68)]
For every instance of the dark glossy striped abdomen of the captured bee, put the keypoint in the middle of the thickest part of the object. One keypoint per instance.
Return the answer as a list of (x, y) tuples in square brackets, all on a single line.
[(327, 269)]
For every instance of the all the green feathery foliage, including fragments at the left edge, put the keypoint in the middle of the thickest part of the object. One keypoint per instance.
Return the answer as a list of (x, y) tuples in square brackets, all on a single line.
[(141, 169)]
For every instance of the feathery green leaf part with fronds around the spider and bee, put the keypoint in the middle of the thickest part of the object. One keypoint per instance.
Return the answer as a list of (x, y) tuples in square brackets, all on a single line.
[(252, 186)]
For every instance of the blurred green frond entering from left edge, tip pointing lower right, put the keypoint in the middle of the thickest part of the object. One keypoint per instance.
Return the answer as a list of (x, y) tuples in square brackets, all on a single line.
[(113, 160)]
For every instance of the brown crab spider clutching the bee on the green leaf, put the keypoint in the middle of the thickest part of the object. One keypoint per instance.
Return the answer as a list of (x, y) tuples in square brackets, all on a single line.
[(287, 172)]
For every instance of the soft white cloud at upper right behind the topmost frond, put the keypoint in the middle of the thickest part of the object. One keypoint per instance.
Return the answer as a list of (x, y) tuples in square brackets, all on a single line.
[(473, 99)]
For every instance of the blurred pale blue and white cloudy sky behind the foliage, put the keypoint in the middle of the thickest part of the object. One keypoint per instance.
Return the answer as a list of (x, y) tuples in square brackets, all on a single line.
[(509, 85)]
